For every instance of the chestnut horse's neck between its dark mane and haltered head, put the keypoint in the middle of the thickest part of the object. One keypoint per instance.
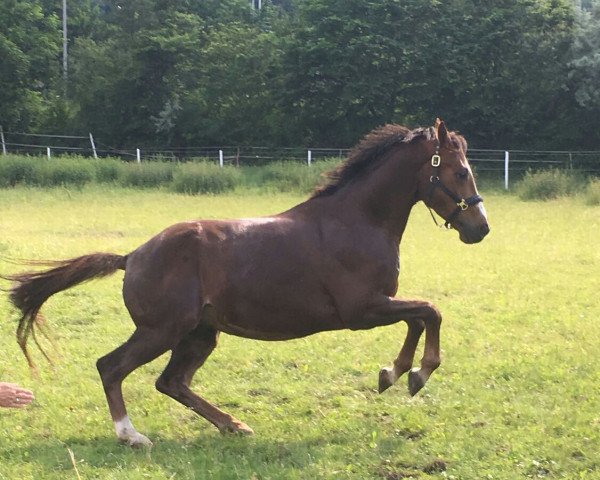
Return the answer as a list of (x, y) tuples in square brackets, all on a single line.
[(386, 195)]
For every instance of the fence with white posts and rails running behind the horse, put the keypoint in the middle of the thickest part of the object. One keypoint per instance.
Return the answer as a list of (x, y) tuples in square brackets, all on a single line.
[(505, 164)]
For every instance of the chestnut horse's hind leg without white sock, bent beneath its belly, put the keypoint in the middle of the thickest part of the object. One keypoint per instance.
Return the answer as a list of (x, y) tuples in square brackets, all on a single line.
[(187, 356)]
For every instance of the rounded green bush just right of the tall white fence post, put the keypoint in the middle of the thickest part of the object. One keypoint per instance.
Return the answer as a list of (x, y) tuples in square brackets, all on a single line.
[(546, 184)]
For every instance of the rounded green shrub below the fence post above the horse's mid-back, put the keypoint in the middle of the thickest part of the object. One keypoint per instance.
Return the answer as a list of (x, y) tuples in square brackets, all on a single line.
[(195, 178)]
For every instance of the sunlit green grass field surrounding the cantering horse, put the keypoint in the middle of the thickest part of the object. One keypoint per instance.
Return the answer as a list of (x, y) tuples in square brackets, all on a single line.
[(516, 396)]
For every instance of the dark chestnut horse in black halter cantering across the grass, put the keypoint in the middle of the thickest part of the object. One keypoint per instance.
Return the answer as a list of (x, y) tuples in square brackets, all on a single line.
[(329, 263)]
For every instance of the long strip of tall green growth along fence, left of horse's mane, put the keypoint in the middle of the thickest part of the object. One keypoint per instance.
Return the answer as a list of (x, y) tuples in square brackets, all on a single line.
[(191, 178)]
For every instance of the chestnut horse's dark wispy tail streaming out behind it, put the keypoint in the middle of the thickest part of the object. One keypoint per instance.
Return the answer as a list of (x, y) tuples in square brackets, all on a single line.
[(31, 289)]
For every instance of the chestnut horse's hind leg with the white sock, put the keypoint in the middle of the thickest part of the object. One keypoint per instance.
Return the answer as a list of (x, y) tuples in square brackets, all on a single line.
[(142, 347)]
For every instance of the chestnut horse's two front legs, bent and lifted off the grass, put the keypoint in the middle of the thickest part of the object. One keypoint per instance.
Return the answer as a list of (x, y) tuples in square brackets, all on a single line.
[(419, 316)]
